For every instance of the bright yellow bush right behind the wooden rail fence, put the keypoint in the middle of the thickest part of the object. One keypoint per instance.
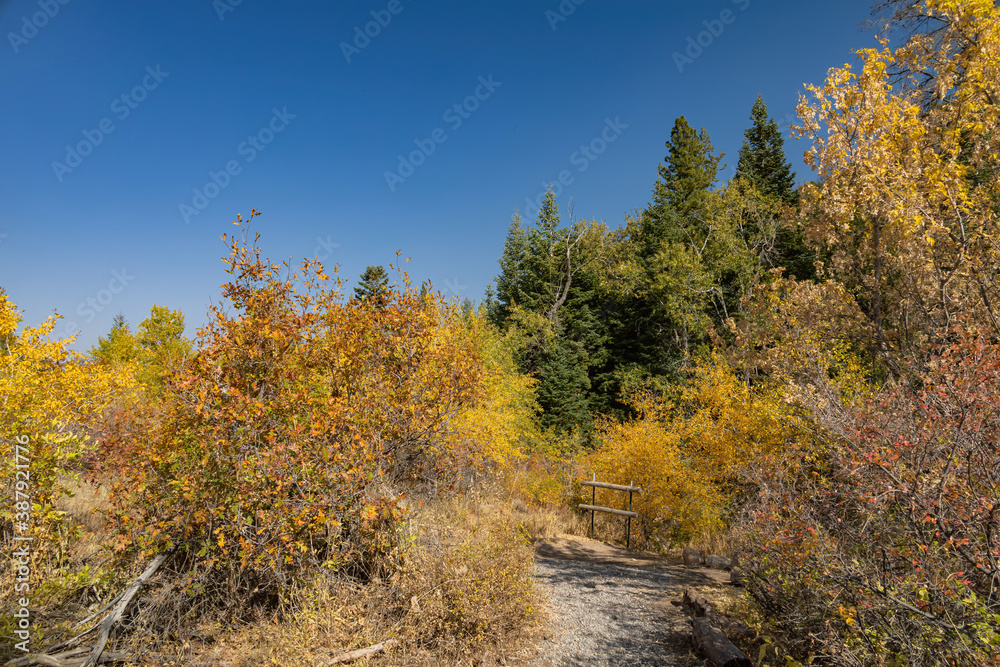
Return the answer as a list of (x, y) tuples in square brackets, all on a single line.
[(687, 453)]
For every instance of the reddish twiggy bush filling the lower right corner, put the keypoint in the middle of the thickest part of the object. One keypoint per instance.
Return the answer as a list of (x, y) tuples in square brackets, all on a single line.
[(882, 543)]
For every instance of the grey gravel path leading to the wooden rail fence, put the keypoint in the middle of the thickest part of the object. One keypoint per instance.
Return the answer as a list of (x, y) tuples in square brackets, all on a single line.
[(611, 606)]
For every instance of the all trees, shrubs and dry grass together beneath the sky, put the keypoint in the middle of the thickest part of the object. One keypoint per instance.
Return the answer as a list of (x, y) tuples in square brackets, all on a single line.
[(808, 377)]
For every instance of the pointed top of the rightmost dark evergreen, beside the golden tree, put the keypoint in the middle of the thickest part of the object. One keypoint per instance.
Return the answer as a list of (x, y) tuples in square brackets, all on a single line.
[(762, 157)]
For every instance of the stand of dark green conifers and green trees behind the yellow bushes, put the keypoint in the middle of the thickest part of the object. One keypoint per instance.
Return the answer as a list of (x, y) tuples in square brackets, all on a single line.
[(605, 311)]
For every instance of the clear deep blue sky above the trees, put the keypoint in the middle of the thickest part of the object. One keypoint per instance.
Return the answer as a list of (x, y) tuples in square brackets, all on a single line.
[(188, 88)]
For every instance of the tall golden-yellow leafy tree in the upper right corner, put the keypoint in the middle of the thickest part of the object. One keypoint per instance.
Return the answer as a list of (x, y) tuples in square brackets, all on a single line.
[(906, 148)]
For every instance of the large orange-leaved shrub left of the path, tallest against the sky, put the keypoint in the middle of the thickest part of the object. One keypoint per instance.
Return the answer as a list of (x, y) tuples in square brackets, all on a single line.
[(283, 444)]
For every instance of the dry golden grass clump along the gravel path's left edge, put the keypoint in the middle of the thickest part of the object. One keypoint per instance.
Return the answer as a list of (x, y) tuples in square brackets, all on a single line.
[(462, 595)]
